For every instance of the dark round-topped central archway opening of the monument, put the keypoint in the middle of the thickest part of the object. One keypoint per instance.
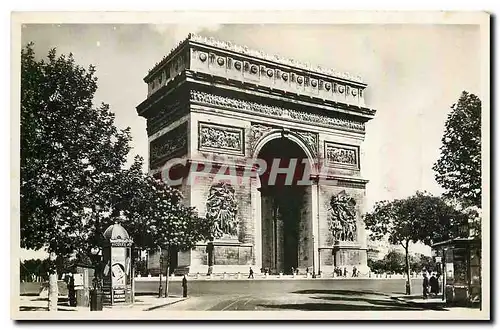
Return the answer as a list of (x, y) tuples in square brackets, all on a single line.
[(285, 207)]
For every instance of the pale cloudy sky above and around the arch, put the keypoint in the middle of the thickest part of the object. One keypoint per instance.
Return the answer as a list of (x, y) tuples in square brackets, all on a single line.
[(414, 74)]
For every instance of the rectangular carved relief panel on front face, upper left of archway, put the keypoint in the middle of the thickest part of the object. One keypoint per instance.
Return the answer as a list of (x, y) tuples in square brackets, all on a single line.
[(220, 137)]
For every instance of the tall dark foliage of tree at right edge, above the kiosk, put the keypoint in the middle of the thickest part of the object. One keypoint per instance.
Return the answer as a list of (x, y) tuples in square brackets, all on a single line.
[(458, 169)]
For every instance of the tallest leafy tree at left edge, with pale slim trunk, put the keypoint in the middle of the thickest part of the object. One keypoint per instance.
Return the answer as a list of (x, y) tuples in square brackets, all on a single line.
[(68, 149)]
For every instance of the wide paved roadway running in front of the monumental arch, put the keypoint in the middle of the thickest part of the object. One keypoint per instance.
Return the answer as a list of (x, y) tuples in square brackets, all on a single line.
[(300, 295)]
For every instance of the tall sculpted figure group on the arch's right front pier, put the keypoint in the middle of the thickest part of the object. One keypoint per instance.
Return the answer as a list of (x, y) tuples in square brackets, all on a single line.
[(342, 222)]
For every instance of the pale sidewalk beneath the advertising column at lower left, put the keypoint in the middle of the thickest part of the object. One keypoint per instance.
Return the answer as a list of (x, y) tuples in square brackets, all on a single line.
[(142, 303)]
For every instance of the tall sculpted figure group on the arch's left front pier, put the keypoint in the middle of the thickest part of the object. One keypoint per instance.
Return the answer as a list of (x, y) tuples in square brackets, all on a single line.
[(222, 209)]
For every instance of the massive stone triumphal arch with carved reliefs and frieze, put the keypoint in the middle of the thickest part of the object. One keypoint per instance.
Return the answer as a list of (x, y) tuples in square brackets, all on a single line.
[(210, 103)]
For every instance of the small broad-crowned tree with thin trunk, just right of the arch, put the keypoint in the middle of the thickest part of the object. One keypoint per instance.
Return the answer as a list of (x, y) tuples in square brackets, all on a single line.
[(418, 218)]
